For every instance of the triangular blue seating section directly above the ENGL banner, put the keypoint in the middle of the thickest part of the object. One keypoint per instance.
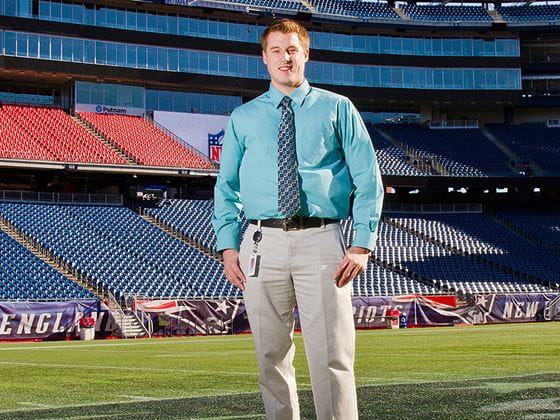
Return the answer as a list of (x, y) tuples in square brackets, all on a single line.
[(23, 276)]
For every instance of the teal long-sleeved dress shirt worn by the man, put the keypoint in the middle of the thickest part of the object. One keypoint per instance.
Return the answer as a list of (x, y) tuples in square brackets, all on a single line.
[(336, 164)]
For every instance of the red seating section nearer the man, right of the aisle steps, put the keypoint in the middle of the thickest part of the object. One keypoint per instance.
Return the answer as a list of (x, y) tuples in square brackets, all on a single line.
[(145, 142)]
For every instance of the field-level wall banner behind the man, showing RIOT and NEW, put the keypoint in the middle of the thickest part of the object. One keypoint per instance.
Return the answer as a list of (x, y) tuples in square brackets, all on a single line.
[(230, 317)]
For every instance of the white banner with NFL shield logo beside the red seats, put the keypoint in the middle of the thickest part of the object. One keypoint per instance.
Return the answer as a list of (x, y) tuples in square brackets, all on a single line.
[(204, 132)]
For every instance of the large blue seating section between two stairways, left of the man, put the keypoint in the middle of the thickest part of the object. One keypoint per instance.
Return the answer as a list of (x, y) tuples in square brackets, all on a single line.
[(120, 252)]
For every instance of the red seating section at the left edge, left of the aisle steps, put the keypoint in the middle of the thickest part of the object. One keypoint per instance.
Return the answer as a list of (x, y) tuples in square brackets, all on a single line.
[(39, 133)]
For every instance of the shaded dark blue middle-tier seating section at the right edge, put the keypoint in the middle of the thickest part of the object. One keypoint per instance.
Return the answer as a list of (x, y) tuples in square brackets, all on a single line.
[(532, 141)]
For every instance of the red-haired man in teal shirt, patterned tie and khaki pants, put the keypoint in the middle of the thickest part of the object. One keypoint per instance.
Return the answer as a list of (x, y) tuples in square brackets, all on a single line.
[(294, 159)]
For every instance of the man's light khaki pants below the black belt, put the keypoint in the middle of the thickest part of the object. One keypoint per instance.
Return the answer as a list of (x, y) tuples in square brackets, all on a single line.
[(298, 266)]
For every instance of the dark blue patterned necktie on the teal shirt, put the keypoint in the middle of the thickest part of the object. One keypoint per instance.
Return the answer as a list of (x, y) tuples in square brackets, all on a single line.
[(288, 186)]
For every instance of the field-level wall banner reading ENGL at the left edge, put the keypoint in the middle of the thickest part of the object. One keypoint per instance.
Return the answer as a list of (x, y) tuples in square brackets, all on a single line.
[(51, 320)]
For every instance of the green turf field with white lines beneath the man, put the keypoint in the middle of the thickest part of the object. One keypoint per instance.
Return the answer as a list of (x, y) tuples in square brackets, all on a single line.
[(501, 371)]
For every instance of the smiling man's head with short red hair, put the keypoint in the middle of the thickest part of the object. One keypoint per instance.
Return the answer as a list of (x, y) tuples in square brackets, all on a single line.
[(285, 46)]
